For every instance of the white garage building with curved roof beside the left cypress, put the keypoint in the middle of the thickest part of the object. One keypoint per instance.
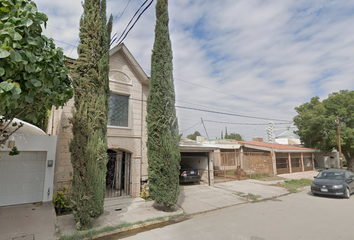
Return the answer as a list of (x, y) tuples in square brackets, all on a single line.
[(27, 177)]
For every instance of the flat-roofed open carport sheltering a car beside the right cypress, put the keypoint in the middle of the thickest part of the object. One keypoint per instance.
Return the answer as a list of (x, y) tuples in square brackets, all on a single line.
[(200, 157)]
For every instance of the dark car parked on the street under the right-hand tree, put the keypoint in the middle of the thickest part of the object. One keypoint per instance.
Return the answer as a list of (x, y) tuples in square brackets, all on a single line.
[(333, 182)]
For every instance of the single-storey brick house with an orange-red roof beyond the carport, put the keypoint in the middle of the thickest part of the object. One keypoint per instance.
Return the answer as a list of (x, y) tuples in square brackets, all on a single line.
[(259, 157)]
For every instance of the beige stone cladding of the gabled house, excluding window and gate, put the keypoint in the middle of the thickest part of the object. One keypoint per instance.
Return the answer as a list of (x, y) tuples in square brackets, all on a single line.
[(131, 139)]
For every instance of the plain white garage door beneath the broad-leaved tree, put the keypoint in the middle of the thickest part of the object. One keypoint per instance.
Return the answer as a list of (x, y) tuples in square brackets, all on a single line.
[(22, 177)]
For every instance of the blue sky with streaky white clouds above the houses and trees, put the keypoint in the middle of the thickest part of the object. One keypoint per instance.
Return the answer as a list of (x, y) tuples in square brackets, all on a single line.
[(251, 58)]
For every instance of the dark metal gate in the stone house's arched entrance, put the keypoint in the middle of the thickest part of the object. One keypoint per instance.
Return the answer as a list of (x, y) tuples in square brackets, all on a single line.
[(118, 175)]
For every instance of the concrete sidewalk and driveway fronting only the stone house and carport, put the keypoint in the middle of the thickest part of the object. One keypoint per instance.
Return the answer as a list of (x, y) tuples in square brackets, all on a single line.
[(193, 199)]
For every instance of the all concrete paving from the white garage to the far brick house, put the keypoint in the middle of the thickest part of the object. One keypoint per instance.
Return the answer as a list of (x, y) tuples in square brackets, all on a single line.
[(23, 223)]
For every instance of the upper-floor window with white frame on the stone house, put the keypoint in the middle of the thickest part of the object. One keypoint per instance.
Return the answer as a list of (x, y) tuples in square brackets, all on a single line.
[(118, 110)]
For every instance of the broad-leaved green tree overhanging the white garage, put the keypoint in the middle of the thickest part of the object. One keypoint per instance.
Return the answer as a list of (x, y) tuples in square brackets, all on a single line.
[(32, 70)]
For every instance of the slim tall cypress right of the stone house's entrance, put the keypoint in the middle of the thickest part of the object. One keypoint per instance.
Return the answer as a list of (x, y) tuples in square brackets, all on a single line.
[(163, 137)]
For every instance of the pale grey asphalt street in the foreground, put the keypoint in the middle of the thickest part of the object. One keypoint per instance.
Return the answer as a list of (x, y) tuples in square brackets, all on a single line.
[(295, 216)]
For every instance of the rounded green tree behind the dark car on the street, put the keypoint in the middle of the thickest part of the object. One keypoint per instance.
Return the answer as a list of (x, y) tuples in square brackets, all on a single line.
[(316, 123)]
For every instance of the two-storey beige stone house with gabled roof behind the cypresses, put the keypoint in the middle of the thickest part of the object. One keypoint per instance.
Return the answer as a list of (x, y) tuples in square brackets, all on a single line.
[(127, 154)]
